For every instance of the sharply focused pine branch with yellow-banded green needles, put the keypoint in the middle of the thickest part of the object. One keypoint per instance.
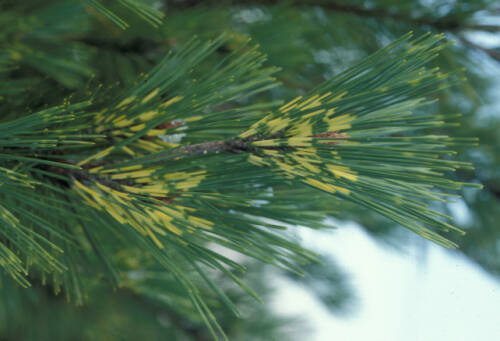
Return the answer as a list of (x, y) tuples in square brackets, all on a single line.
[(184, 160)]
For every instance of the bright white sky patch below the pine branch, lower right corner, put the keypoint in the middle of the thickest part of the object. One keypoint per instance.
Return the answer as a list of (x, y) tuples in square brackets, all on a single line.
[(415, 294)]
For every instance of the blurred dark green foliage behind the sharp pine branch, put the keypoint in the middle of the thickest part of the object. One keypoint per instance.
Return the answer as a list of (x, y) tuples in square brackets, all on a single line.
[(50, 50)]
